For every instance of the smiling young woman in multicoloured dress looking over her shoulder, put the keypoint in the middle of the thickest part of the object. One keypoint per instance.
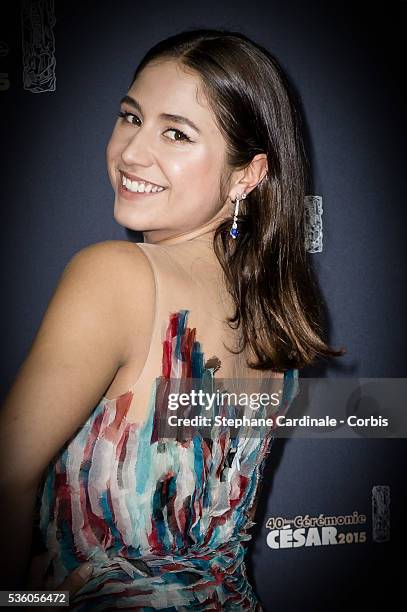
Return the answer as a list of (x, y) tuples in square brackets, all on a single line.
[(207, 160)]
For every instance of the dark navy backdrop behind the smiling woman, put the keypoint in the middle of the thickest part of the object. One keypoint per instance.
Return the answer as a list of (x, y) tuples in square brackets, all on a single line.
[(346, 60)]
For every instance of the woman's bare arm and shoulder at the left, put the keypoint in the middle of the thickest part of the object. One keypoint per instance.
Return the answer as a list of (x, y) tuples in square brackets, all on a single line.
[(86, 334)]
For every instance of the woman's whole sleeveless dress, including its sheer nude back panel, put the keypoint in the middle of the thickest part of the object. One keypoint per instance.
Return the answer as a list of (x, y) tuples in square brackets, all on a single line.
[(164, 523)]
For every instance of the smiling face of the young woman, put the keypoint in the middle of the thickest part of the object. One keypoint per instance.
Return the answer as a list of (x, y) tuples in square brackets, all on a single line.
[(184, 154)]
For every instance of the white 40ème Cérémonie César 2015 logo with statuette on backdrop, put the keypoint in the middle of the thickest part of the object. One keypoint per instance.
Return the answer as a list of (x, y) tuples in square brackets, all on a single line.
[(321, 530)]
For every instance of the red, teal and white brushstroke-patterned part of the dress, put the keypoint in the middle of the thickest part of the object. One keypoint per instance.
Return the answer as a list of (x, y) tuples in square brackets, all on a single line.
[(163, 523)]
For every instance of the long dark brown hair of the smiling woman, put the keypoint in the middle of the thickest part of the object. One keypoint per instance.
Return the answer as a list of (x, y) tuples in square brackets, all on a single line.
[(267, 269)]
